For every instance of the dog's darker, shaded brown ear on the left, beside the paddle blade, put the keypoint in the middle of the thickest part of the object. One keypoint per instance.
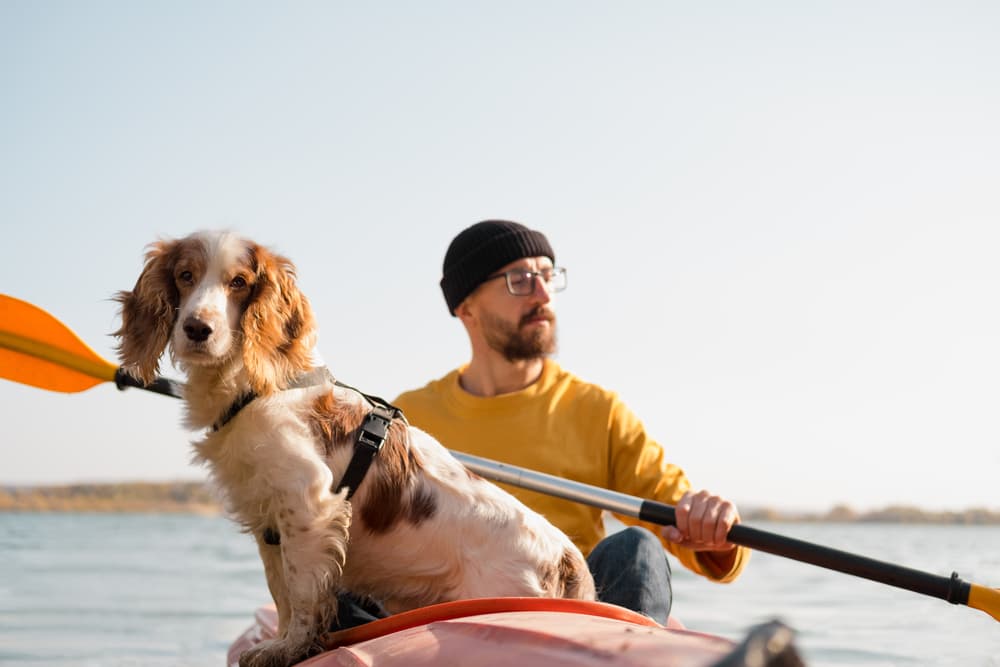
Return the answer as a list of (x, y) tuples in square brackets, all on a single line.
[(148, 313)]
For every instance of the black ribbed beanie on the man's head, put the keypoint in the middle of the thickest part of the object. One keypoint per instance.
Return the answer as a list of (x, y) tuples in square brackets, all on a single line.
[(483, 248)]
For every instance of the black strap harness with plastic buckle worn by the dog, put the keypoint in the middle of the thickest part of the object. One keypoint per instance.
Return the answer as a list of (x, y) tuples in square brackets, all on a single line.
[(371, 435)]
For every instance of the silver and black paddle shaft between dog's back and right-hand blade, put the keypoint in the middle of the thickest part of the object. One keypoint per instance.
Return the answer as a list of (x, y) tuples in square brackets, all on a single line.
[(952, 589)]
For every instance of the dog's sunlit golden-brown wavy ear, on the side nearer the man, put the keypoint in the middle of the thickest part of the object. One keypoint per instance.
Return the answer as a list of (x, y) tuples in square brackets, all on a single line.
[(278, 324)]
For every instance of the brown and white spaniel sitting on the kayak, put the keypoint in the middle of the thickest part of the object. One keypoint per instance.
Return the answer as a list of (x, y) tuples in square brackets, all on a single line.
[(420, 528)]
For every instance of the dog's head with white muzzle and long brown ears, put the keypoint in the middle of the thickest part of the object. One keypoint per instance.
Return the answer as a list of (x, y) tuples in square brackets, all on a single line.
[(217, 300)]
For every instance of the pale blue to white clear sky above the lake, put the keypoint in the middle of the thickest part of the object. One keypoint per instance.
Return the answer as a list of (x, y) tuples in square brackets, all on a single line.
[(780, 220)]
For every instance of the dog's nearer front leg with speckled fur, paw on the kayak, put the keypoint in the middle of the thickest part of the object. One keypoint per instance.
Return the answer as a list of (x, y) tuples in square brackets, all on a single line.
[(313, 551)]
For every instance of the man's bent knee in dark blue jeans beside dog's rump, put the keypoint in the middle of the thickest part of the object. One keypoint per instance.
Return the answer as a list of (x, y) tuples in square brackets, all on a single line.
[(631, 570)]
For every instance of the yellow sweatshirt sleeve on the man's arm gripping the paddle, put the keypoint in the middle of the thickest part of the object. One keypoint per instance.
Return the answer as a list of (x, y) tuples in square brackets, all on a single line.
[(638, 467)]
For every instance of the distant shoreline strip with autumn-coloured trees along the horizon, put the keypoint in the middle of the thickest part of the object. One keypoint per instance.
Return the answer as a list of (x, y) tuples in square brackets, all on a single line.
[(197, 498)]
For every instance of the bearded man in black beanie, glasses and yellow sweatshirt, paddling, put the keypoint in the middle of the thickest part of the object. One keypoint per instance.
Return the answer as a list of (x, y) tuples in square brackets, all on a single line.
[(514, 404)]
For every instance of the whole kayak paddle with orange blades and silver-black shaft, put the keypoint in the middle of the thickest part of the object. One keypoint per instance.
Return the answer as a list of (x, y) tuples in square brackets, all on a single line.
[(39, 350)]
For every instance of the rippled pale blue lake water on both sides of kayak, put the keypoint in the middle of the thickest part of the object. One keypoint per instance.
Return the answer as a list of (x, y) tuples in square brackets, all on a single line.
[(158, 590)]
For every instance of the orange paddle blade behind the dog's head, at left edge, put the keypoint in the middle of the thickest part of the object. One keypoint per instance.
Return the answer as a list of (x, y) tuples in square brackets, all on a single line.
[(39, 350)]
